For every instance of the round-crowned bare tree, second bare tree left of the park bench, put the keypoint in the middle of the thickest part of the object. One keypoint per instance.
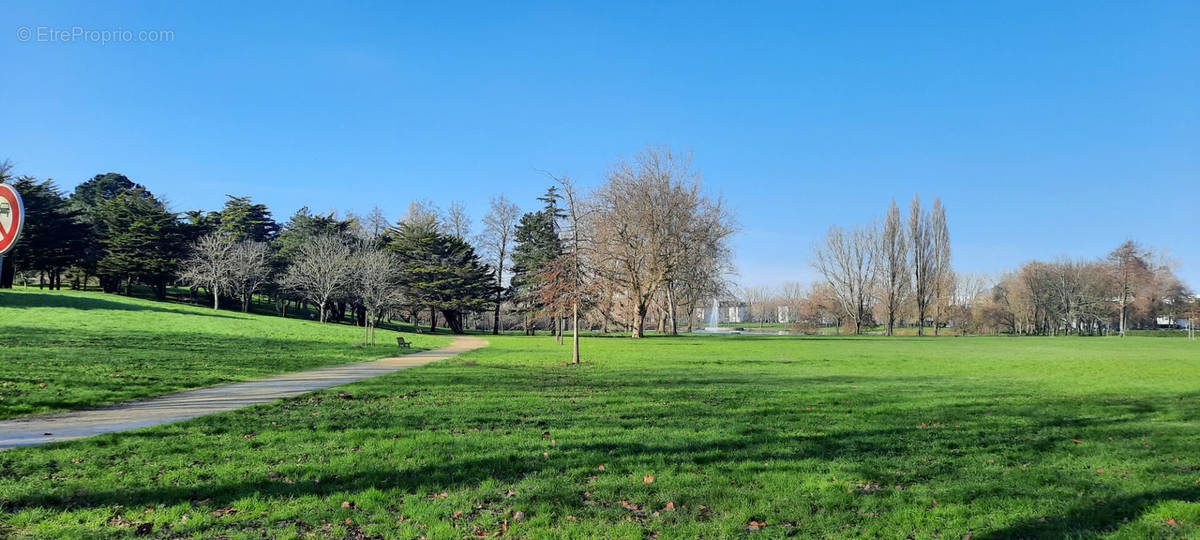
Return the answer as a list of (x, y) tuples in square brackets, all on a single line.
[(322, 269)]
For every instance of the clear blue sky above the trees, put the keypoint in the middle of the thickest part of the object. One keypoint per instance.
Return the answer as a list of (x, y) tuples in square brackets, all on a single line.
[(1047, 128)]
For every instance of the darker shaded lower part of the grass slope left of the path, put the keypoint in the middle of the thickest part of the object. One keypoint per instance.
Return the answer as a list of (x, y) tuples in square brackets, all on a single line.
[(87, 368)]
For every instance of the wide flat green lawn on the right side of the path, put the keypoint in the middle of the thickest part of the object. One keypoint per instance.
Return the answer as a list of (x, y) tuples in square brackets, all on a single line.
[(841, 437)]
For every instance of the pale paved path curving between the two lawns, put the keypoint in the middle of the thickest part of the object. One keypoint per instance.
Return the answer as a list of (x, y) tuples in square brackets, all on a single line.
[(45, 429)]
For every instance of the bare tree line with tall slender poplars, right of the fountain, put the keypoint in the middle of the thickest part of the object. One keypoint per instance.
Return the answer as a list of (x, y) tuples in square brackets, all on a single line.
[(898, 272)]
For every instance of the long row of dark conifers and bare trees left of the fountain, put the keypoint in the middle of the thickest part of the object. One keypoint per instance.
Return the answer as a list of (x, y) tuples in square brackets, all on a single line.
[(649, 241)]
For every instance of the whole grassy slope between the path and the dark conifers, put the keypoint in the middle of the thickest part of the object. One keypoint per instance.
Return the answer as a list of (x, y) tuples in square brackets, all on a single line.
[(92, 349)]
